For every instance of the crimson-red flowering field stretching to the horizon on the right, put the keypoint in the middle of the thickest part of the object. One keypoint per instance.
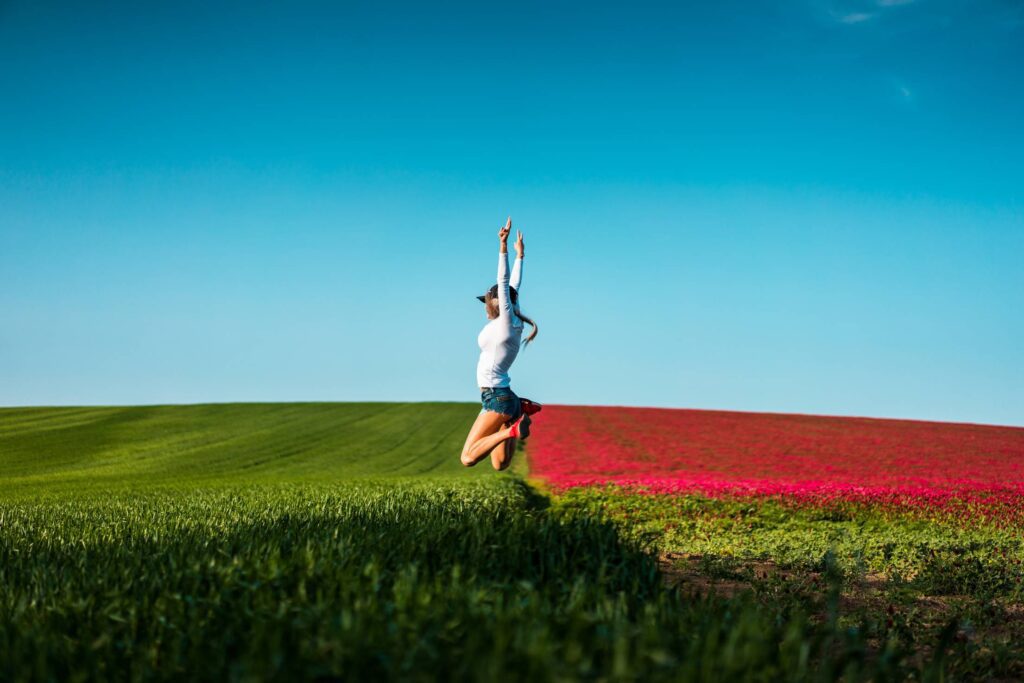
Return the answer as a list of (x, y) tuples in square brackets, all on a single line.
[(798, 457)]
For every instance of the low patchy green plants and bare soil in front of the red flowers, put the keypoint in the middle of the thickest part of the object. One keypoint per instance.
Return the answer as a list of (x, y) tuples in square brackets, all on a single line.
[(895, 575)]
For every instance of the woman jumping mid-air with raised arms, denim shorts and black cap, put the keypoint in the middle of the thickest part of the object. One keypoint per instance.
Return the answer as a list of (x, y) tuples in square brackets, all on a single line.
[(504, 417)]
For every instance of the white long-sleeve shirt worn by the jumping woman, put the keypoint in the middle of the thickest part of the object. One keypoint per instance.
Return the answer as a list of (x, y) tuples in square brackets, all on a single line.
[(499, 340)]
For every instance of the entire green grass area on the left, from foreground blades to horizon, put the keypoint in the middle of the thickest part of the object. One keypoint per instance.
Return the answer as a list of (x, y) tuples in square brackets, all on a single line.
[(346, 541)]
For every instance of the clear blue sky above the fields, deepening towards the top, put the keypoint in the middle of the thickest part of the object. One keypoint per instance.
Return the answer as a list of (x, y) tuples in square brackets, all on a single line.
[(803, 207)]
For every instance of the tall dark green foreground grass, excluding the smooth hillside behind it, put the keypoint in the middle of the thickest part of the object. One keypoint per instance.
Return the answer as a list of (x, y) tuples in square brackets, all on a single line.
[(377, 582)]
